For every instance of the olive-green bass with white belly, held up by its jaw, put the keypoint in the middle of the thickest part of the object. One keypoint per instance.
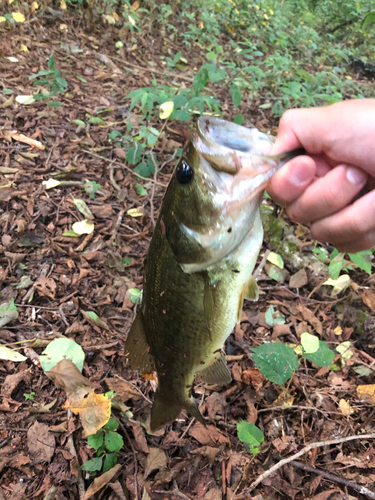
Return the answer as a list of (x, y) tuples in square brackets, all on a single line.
[(199, 265)]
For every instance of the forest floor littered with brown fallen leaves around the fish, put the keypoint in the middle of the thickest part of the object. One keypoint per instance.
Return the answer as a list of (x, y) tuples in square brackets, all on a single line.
[(53, 278)]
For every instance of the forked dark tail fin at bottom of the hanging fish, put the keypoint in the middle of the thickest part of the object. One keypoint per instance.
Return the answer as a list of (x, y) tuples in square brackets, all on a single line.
[(164, 411)]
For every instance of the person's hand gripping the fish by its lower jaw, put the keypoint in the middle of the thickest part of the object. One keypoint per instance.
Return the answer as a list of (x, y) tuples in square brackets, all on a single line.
[(319, 189)]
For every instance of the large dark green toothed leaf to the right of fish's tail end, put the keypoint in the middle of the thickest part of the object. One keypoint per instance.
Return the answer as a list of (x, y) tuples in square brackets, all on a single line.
[(275, 361)]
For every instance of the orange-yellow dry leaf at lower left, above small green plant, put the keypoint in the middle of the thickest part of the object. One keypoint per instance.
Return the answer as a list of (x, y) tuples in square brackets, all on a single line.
[(94, 410)]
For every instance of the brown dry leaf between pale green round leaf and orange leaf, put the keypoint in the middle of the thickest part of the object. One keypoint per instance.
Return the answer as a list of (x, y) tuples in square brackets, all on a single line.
[(67, 376)]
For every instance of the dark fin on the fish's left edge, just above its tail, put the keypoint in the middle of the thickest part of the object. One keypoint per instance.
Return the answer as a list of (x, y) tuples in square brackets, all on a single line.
[(137, 349)]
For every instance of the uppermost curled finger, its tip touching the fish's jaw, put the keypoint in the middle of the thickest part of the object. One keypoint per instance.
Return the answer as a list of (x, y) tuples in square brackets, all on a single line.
[(289, 182)]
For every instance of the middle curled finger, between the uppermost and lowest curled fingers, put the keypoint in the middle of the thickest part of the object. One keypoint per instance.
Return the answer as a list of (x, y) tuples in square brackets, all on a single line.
[(328, 194)]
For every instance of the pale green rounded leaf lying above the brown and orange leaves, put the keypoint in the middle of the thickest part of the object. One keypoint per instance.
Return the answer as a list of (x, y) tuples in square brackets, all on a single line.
[(60, 349)]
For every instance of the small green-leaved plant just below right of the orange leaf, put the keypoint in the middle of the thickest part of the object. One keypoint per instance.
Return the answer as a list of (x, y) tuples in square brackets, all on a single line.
[(104, 441)]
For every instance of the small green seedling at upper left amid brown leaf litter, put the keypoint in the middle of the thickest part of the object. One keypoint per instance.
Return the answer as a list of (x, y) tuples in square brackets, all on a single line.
[(53, 80)]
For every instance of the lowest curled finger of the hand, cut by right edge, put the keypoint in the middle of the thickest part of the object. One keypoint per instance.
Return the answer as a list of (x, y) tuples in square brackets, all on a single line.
[(355, 222)]
